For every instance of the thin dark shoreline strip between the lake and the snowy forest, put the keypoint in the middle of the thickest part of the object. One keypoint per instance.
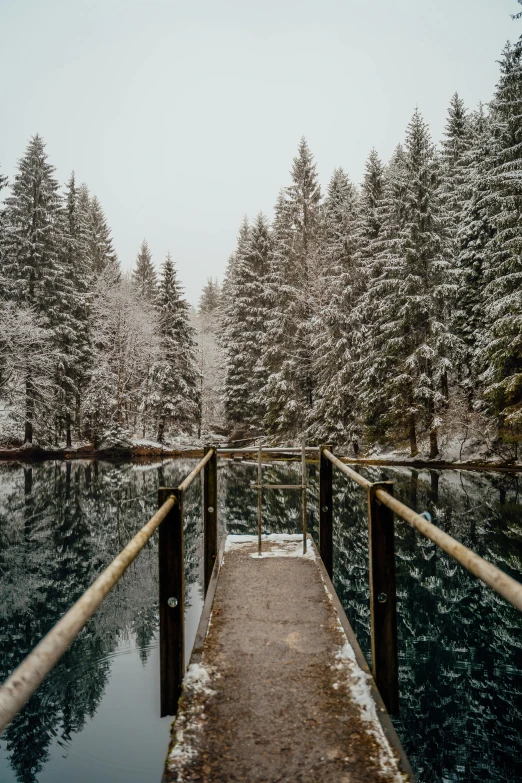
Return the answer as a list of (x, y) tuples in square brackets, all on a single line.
[(141, 453)]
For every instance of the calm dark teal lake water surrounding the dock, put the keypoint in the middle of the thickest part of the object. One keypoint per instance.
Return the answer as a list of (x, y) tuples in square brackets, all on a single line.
[(96, 716)]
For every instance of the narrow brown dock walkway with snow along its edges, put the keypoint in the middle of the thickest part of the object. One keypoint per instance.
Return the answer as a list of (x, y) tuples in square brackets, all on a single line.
[(277, 688)]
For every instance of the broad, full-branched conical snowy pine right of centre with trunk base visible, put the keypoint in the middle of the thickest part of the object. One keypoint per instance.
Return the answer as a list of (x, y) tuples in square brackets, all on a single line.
[(414, 342)]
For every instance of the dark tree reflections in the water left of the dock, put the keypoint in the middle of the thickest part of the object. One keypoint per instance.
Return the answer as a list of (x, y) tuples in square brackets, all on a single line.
[(60, 525)]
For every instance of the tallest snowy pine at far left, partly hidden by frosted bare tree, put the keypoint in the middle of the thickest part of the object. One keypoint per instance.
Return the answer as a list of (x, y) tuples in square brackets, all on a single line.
[(32, 244)]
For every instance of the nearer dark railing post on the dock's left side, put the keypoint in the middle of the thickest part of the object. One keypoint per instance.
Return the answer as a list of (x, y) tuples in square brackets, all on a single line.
[(171, 602)]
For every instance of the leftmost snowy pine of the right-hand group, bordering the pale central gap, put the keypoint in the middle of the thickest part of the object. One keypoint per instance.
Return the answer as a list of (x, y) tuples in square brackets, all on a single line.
[(246, 321)]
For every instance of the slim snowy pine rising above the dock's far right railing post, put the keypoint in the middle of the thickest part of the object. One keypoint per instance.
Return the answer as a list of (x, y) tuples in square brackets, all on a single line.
[(337, 332)]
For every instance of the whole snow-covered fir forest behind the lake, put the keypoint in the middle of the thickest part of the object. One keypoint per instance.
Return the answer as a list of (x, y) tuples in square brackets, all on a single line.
[(385, 314)]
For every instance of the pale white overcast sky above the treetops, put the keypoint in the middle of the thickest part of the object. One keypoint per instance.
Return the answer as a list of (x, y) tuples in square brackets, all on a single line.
[(183, 116)]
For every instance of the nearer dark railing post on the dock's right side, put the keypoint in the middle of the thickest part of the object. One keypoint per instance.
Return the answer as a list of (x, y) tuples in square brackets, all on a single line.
[(383, 600)]
